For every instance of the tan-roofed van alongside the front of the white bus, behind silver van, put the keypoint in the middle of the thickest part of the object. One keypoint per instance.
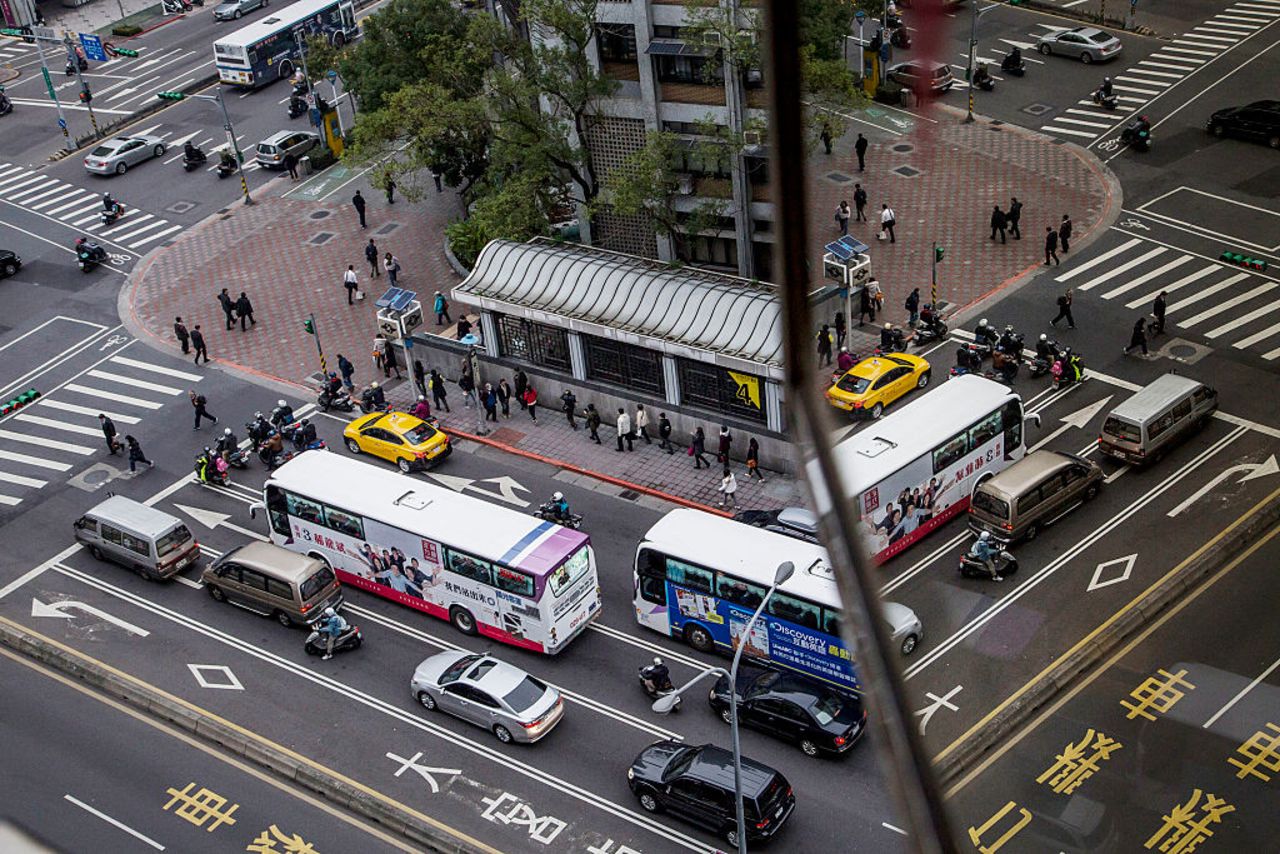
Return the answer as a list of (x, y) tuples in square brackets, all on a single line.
[(275, 582)]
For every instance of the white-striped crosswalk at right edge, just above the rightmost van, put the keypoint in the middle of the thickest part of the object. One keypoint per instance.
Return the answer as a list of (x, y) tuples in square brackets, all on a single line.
[(1204, 298)]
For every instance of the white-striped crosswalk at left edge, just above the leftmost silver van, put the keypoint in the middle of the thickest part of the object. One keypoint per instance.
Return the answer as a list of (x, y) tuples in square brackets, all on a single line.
[(62, 431)]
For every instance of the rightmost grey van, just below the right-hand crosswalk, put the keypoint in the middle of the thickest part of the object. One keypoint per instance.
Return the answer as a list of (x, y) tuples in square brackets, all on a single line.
[(1141, 430)]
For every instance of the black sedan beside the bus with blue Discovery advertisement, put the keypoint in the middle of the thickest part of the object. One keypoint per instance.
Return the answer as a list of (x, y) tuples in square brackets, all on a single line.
[(793, 709)]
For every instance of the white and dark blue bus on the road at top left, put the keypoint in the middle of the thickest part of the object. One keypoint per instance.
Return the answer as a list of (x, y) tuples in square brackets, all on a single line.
[(268, 49)]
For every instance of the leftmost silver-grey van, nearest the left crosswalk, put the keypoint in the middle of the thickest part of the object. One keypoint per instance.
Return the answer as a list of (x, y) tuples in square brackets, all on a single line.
[(148, 541)]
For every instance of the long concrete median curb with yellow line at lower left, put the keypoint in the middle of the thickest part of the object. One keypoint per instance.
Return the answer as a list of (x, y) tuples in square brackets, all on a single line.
[(273, 759)]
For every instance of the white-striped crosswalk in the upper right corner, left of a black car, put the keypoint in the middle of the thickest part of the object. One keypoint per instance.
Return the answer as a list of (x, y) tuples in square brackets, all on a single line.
[(1150, 77)]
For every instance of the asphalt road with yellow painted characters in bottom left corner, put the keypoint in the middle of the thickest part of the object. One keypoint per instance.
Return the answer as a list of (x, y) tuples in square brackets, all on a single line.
[(148, 788)]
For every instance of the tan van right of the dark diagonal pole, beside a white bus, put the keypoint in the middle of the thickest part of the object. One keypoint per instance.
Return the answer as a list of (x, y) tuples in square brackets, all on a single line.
[(1032, 494)]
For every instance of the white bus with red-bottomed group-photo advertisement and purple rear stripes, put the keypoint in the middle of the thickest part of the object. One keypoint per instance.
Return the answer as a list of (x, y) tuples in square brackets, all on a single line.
[(487, 569)]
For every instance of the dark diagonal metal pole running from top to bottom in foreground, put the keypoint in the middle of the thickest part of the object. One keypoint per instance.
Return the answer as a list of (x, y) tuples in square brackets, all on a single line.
[(904, 761)]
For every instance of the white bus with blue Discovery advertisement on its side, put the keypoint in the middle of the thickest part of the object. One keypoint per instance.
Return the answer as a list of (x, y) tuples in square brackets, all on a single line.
[(701, 577)]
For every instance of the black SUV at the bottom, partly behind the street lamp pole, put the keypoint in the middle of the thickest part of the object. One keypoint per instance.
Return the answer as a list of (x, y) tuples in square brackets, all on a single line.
[(697, 784)]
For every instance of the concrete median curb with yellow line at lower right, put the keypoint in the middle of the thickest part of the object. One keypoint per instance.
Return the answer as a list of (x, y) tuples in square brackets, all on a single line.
[(962, 755)]
